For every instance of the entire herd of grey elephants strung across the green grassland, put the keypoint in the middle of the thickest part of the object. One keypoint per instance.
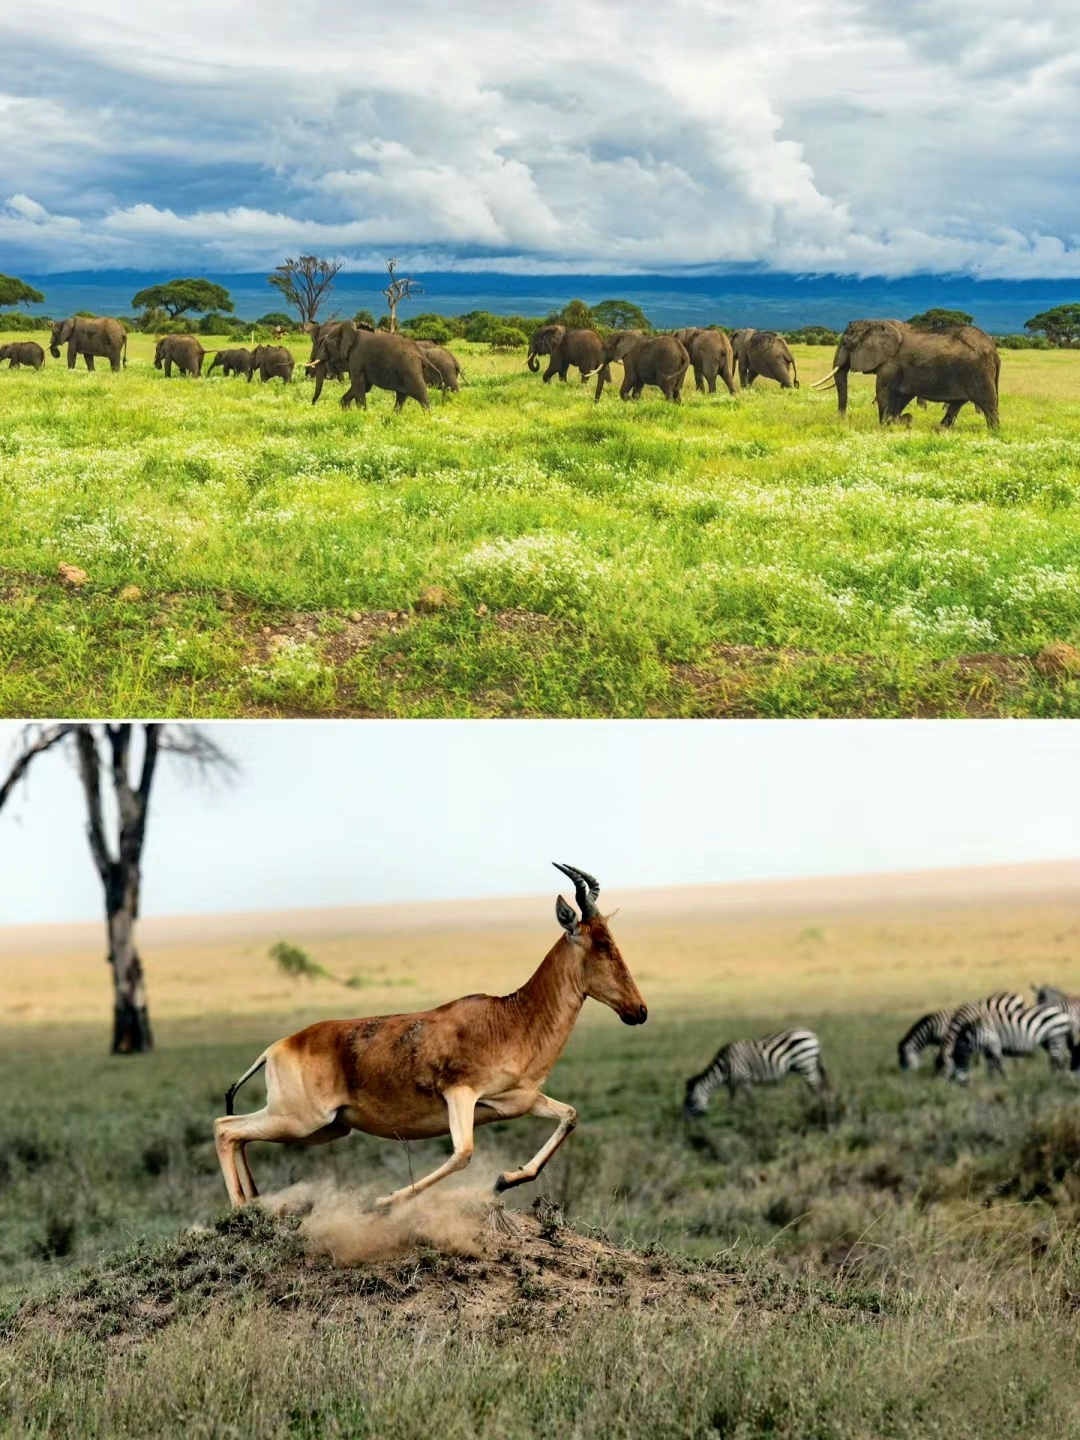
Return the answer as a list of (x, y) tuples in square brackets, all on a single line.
[(953, 368)]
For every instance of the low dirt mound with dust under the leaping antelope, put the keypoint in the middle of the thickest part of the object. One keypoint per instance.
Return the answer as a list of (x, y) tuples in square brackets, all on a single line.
[(470, 1258)]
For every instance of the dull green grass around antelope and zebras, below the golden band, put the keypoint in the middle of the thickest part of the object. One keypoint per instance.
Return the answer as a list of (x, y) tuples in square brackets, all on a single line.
[(902, 1262)]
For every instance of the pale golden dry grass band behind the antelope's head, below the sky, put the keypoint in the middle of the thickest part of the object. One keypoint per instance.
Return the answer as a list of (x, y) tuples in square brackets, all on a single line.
[(862, 945)]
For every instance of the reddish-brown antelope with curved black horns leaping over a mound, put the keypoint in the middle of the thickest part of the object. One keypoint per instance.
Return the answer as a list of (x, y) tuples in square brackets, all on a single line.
[(408, 1078)]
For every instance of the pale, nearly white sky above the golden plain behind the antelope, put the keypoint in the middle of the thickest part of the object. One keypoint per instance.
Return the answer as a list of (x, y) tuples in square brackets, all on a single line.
[(355, 813)]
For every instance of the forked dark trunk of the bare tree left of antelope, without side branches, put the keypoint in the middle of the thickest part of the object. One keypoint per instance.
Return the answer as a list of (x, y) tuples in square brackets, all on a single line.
[(122, 873)]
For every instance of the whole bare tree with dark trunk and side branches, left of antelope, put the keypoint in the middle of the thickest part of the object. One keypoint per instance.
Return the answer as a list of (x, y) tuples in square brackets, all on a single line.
[(120, 859)]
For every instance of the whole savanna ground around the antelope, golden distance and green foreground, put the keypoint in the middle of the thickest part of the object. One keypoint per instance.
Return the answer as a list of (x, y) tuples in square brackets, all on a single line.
[(898, 1261)]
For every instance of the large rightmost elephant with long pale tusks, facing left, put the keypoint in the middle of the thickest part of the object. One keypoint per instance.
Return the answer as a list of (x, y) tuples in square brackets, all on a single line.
[(950, 366)]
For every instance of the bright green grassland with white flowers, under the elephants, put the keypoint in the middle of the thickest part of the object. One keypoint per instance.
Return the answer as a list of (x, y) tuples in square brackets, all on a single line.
[(248, 554)]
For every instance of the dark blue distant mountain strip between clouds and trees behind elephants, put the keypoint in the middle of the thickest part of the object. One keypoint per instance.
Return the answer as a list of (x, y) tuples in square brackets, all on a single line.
[(738, 299)]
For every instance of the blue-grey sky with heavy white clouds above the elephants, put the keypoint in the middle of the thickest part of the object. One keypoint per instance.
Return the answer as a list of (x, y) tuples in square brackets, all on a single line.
[(832, 136)]
